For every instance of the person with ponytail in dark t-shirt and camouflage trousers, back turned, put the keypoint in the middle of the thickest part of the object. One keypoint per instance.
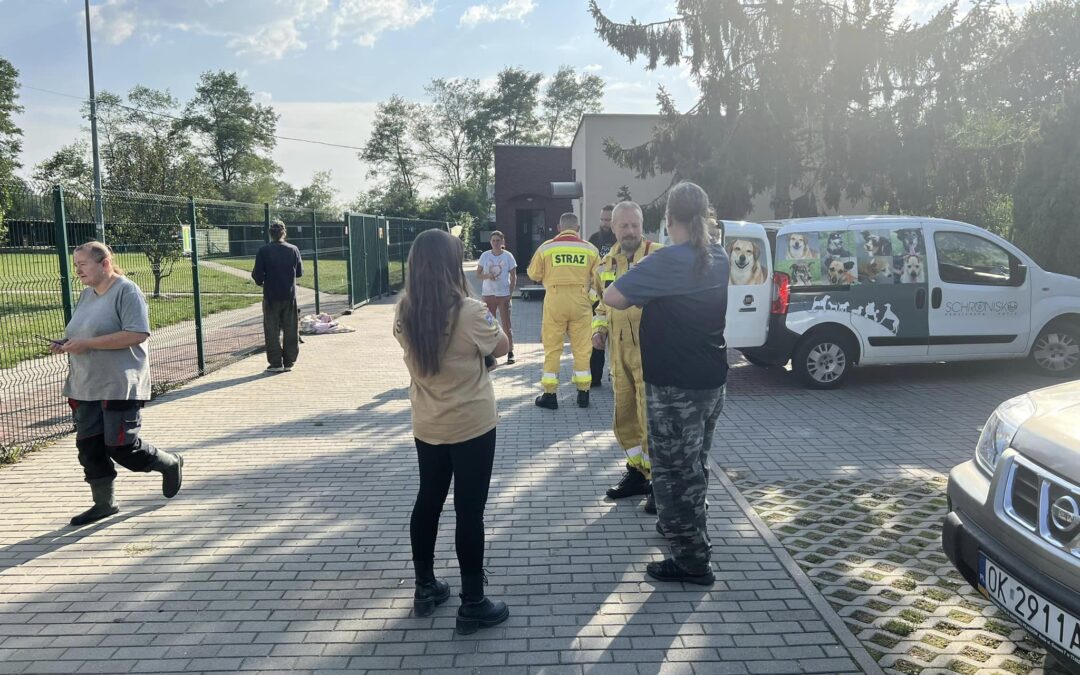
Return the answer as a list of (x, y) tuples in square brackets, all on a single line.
[(684, 291)]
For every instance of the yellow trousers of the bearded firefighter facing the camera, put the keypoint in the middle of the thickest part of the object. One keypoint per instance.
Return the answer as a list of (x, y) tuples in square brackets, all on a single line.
[(631, 425)]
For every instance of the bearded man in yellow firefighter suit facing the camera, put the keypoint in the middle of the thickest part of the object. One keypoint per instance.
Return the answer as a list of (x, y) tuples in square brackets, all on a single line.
[(618, 332)]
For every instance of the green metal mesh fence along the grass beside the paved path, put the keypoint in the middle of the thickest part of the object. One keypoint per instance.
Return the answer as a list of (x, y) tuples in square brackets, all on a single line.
[(206, 310)]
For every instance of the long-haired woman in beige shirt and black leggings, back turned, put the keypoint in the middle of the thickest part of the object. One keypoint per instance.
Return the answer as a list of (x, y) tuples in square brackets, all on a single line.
[(447, 336)]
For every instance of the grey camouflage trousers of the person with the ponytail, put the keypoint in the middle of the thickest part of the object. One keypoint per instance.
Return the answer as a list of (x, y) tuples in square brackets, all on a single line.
[(681, 433)]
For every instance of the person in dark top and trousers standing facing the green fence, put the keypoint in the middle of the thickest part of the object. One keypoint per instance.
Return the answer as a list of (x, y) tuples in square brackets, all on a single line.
[(277, 267)]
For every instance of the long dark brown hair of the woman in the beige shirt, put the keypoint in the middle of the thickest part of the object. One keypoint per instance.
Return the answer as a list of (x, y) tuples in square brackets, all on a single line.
[(435, 289)]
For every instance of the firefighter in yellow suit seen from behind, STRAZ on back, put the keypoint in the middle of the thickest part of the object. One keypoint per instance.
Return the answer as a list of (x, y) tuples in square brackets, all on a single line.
[(566, 266)]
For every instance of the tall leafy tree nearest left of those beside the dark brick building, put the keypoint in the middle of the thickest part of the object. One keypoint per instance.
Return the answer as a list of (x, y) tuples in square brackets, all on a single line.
[(390, 151)]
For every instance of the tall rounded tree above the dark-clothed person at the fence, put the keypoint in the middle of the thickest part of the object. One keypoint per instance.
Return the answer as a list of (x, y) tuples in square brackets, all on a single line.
[(235, 136)]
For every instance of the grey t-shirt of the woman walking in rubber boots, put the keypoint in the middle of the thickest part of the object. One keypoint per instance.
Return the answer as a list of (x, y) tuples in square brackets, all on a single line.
[(110, 374)]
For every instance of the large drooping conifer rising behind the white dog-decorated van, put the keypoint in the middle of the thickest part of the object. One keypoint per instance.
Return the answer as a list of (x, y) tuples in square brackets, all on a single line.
[(811, 101)]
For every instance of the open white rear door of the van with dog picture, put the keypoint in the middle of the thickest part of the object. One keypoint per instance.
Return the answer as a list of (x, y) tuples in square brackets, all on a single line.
[(750, 287)]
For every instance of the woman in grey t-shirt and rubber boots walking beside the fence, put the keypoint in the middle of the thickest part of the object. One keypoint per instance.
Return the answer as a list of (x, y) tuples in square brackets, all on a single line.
[(110, 382)]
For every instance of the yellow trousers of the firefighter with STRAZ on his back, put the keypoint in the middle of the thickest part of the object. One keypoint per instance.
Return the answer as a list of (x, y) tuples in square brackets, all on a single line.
[(568, 310)]
